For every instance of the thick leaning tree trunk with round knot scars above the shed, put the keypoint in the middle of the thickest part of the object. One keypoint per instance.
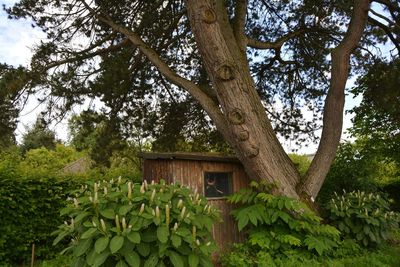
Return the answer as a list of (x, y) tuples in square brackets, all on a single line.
[(247, 129)]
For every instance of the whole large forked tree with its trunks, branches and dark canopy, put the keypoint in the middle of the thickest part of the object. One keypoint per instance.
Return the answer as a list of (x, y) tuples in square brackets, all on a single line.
[(238, 59)]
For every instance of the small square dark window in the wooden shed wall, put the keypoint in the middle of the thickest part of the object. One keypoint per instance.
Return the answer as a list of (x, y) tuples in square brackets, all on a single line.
[(217, 184)]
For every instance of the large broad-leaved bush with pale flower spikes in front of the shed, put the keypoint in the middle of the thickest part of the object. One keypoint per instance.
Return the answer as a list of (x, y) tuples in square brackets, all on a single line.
[(118, 223)]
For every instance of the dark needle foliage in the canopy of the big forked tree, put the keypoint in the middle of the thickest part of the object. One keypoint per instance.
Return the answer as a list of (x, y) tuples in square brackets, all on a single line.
[(135, 90)]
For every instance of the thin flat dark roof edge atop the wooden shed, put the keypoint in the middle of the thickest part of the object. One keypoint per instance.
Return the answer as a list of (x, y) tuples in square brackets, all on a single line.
[(196, 156)]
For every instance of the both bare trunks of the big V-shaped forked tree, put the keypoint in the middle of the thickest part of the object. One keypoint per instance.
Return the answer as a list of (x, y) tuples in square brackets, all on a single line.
[(247, 127)]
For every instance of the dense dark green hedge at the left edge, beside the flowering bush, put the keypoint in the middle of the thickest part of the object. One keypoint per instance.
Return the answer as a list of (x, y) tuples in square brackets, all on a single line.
[(28, 210)]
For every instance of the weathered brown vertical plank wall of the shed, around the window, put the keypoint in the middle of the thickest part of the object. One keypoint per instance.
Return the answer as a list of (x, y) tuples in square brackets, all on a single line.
[(191, 173)]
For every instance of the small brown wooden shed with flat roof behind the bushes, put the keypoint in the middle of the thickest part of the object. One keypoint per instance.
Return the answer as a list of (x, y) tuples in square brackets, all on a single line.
[(214, 175)]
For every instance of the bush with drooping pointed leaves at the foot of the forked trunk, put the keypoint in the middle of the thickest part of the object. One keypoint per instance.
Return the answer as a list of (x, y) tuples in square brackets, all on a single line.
[(277, 227)]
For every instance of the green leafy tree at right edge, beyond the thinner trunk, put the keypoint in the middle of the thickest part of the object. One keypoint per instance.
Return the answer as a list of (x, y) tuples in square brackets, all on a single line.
[(377, 119)]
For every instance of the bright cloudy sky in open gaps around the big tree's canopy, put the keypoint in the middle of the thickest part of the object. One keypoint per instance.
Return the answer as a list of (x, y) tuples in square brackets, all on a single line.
[(18, 37)]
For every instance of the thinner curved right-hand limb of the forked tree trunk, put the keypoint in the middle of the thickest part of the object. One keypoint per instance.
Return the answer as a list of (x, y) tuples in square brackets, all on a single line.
[(334, 103)]
